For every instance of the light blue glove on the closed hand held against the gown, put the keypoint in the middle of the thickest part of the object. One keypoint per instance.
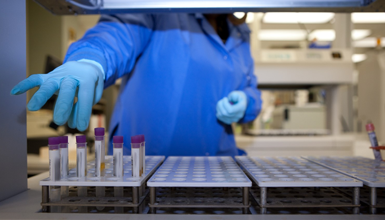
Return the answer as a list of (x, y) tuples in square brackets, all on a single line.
[(232, 108)]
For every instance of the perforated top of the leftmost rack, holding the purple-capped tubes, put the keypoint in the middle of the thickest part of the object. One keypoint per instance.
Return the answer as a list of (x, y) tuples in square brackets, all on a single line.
[(152, 162)]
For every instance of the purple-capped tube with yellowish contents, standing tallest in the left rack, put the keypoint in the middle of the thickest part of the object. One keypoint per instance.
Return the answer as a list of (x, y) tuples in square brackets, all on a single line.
[(99, 161)]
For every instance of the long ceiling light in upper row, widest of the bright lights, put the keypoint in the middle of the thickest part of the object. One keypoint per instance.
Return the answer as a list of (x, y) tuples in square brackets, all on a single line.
[(300, 17)]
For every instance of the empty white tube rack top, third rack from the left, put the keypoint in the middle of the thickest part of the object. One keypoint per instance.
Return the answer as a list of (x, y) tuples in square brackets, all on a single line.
[(292, 172)]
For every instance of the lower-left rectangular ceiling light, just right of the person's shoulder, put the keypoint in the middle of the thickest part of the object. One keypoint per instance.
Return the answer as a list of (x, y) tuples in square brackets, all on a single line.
[(282, 35)]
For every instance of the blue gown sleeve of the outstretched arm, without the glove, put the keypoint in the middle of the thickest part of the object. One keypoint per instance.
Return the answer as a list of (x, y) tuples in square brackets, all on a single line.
[(115, 43)]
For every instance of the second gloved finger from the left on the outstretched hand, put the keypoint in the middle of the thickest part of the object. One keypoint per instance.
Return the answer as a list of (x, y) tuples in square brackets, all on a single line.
[(46, 90)]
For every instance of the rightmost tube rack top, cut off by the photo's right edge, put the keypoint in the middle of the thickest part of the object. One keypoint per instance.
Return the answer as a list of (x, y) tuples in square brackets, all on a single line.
[(367, 170)]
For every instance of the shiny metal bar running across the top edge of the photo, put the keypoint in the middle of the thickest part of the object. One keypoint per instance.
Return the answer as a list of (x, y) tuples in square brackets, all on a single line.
[(63, 7)]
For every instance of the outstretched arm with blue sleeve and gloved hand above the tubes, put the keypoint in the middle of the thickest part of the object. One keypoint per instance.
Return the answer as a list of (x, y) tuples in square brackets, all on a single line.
[(105, 53)]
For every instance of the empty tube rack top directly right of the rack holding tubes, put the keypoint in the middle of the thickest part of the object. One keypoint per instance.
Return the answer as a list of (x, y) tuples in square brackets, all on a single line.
[(199, 172)]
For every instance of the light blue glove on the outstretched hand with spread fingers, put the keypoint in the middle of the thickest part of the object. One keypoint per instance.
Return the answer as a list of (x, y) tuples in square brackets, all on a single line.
[(83, 79)]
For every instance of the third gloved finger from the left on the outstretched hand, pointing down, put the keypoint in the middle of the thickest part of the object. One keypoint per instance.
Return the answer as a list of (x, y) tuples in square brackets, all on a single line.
[(65, 100)]
